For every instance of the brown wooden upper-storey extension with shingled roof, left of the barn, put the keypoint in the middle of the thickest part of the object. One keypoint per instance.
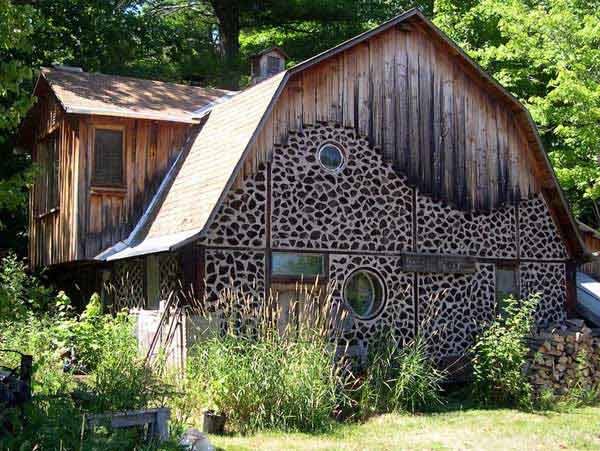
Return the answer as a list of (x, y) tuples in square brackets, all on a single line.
[(103, 145)]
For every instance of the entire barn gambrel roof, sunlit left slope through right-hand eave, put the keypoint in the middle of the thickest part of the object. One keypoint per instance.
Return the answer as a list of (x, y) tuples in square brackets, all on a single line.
[(219, 151)]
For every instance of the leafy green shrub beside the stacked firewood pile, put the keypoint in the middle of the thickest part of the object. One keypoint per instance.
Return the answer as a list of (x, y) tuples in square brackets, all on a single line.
[(500, 356)]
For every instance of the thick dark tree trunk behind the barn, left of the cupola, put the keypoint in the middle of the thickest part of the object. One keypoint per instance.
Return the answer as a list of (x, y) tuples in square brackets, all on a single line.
[(228, 15)]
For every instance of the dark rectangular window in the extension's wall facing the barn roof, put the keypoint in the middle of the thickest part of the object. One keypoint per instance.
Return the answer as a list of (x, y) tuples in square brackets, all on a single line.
[(108, 158)]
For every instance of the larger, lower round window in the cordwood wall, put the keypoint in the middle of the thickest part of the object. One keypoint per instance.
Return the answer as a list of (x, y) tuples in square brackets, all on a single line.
[(364, 293)]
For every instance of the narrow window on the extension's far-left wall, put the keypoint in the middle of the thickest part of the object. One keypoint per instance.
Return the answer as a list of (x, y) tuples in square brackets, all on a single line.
[(47, 179)]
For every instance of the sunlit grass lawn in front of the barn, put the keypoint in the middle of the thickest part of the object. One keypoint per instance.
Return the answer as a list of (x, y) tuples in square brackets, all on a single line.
[(459, 430)]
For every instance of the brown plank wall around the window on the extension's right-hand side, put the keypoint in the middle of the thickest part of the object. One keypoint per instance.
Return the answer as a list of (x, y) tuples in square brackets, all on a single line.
[(108, 215)]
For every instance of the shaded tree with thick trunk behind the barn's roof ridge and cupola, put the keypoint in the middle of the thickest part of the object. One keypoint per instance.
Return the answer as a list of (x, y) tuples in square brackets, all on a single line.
[(303, 27)]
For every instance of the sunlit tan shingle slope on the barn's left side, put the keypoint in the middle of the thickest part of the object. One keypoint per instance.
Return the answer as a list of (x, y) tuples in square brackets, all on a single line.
[(205, 173)]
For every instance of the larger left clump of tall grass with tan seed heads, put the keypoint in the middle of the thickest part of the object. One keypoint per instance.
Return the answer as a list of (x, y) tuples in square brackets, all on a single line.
[(264, 373)]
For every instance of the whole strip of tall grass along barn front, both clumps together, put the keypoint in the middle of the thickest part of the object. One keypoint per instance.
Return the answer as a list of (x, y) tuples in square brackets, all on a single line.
[(269, 369)]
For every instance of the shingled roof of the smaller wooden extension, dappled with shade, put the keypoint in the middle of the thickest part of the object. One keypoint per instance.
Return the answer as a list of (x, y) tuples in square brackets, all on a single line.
[(110, 95)]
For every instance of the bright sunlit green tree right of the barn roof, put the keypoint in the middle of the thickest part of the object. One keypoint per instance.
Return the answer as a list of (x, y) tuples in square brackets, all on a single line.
[(547, 53)]
